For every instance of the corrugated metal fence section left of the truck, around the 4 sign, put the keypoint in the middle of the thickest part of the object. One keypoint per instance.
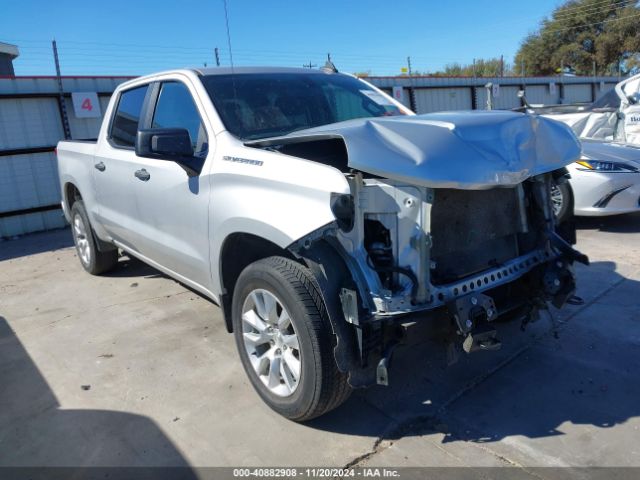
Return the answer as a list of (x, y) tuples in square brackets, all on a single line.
[(31, 124)]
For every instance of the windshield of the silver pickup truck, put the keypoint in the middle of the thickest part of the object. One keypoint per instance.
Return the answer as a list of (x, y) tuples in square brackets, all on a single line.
[(261, 105)]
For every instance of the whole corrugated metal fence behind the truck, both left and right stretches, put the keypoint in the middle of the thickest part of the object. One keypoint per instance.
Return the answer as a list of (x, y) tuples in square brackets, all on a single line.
[(31, 124)]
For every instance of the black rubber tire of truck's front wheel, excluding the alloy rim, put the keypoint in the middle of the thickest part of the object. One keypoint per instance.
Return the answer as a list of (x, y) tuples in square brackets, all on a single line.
[(321, 386)]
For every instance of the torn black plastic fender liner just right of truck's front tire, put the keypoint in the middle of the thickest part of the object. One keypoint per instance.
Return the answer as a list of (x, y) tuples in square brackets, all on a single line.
[(332, 274)]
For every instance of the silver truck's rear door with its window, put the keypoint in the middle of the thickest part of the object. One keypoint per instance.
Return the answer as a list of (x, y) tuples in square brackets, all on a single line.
[(113, 168)]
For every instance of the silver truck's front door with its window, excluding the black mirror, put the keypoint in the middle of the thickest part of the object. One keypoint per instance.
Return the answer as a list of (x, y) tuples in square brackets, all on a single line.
[(173, 207)]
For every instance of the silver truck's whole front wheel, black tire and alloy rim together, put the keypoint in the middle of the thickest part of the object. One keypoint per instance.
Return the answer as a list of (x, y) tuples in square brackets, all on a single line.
[(285, 340)]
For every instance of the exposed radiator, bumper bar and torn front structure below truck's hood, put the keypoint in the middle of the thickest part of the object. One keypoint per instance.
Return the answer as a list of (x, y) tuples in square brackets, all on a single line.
[(380, 266)]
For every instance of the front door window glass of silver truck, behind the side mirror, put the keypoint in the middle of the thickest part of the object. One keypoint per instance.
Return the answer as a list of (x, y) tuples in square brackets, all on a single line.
[(175, 109)]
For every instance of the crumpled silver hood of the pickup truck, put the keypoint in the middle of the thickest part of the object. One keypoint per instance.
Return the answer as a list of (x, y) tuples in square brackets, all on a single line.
[(466, 150)]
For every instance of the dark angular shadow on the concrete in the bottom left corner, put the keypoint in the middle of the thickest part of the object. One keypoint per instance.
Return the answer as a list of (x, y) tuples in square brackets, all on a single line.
[(36, 432)]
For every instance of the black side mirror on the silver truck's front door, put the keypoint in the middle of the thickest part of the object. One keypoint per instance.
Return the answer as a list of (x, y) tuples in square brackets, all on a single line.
[(165, 143)]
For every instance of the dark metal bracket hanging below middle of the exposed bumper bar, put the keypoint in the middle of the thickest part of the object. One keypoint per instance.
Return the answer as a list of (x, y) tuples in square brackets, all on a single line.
[(472, 314)]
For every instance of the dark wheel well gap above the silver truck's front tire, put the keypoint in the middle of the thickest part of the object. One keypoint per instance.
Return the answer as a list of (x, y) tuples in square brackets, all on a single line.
[(238, 252)]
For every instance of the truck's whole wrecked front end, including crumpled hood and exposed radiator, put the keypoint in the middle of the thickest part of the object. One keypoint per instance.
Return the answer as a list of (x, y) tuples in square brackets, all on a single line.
[(446, 220)]
